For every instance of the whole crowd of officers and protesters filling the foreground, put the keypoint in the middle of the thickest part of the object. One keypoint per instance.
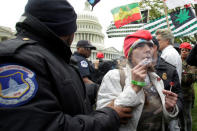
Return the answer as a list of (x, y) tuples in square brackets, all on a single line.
[(44, 87)]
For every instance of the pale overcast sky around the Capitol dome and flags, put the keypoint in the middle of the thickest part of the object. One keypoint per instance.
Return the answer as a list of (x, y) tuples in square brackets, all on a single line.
[(11, 10)]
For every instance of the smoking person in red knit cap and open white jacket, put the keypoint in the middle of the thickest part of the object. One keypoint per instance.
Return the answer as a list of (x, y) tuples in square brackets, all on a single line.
[(143, 90)]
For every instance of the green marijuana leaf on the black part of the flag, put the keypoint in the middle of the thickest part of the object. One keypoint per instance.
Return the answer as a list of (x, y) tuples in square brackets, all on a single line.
[(183, 16)]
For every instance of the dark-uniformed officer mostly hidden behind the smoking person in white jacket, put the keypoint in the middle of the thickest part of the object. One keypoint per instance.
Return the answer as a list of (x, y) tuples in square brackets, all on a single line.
[(168, 74)]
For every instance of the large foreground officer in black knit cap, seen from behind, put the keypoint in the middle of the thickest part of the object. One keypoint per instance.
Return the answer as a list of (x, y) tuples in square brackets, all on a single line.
[(39, 89)]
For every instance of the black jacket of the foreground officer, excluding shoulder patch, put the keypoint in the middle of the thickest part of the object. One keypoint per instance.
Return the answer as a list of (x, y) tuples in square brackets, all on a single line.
[(60, 103)]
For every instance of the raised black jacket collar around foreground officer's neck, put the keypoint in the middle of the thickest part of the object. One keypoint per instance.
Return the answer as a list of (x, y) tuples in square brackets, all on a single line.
[(34, 29)]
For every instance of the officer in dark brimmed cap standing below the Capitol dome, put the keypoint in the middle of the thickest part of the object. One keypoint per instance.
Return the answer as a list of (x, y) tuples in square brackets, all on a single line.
[(85, 68)]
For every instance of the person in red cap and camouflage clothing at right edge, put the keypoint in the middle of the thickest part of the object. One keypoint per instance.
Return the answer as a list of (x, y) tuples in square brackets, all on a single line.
[(188, 78)]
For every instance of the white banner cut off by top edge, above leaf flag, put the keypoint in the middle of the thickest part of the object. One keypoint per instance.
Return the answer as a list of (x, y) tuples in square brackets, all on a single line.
[(171, 4)]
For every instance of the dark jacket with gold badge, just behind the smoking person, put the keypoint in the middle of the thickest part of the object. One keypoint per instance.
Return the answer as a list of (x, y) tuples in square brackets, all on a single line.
[(168, 73)]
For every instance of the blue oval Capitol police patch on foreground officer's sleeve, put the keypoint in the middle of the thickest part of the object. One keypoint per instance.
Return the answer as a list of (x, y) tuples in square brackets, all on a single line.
[(17, 85)]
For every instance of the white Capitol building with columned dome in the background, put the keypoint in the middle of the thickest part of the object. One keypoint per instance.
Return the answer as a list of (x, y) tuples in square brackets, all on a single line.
[(89, 28)]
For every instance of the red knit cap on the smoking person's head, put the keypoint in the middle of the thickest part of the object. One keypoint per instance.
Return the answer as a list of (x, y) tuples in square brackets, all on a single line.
[(130, 39)]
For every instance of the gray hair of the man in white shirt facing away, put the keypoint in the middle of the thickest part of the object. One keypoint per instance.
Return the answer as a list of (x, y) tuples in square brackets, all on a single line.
[(166, 34)]
